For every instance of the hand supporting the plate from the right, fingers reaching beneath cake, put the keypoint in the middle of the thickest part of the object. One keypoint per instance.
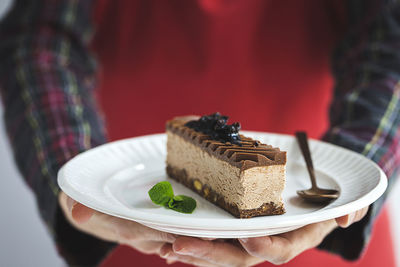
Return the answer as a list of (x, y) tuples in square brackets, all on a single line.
[(277, 249)]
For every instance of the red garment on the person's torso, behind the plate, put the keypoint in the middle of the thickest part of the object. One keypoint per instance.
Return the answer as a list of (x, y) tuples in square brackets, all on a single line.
[(264, 63)]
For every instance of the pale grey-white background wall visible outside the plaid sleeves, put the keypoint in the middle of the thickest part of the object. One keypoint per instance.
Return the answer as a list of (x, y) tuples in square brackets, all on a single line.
[(24, 241)]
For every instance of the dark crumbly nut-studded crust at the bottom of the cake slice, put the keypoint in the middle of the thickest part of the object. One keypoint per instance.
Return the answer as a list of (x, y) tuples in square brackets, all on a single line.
[(206, 192)]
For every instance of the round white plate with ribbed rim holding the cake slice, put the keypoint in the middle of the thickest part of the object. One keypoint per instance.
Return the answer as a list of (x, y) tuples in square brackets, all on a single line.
[(114, 178)]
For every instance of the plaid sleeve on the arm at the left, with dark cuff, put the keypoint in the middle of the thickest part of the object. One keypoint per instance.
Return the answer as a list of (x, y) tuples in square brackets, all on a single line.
[(47, 81)]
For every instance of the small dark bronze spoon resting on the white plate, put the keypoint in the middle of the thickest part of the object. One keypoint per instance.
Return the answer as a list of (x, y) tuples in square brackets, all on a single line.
[(314, 194)]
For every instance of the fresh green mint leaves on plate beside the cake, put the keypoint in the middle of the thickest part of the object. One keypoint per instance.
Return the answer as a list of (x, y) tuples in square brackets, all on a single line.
[(162, 194)]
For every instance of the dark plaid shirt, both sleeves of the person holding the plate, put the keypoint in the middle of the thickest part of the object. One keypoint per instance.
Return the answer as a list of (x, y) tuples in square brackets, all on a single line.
[(47, 81)]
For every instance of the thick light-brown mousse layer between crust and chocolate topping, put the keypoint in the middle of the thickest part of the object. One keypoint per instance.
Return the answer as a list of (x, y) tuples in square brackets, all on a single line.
[(244, 189)]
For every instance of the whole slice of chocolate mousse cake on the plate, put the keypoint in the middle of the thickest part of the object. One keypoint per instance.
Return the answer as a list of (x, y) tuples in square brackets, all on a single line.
[(236, 173)]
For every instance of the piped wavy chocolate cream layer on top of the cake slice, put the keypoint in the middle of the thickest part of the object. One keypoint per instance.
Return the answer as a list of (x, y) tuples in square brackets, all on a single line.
[(250, 153)]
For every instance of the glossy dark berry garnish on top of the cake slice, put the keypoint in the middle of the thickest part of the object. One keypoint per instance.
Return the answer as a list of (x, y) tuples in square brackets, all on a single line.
[(215, 125)]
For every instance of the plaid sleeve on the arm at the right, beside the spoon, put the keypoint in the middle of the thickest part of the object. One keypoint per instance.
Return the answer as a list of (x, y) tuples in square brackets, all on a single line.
[(365, 112)]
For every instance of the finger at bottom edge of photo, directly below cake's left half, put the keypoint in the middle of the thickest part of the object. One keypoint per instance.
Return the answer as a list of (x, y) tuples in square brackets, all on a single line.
[(218, 253)]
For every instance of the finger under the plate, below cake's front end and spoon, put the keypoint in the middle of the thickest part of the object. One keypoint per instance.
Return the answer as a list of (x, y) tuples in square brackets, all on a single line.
[(282, 248)]
